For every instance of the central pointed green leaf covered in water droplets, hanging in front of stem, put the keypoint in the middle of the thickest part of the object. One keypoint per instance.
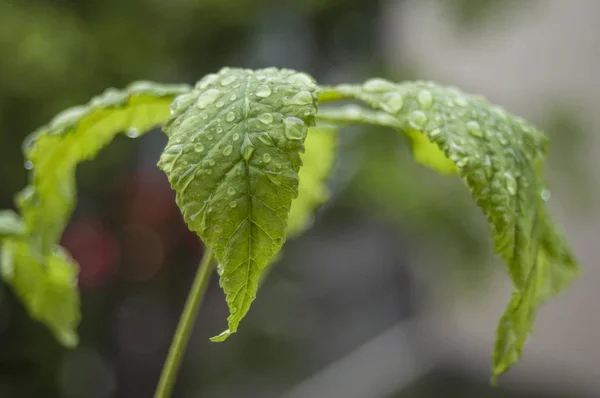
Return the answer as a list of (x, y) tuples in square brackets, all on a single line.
[(233, 158)]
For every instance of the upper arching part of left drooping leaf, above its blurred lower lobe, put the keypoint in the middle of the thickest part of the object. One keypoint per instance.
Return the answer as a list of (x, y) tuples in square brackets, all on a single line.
[(78, 134)]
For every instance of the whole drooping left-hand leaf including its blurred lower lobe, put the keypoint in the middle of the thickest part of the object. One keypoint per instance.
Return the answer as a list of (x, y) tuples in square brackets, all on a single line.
[(39, 271)]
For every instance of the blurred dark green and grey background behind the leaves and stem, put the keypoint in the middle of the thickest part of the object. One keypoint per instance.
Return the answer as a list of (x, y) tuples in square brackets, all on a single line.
[(395, 291)]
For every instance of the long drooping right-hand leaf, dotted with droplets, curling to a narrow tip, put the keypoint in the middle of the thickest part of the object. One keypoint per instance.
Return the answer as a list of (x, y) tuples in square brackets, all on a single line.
[(500, 158)]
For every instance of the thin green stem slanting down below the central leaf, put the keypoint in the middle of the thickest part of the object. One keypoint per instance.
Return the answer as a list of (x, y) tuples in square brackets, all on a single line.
[(186, 324)]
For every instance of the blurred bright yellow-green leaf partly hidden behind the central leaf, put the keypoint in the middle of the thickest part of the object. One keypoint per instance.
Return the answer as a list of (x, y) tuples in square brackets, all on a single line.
[(317, 163)]
